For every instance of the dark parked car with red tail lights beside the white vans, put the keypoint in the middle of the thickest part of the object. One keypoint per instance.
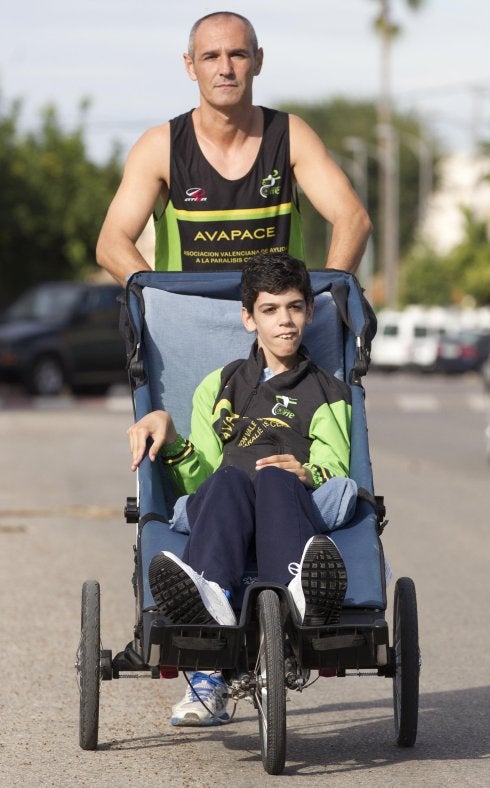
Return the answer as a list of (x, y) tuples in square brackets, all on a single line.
[(463, 351)]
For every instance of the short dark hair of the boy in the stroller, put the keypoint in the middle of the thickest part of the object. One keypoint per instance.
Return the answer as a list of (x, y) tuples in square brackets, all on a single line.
[(274, 273)]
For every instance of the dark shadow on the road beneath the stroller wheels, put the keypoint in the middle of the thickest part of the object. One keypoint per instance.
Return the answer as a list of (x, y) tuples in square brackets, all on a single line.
[(453, 726)]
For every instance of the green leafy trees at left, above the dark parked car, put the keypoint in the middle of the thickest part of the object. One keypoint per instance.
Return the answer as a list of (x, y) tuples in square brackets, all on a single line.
[(52, 201)]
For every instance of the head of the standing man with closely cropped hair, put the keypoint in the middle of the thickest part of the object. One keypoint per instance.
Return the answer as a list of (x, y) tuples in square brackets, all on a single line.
[(224, 63)]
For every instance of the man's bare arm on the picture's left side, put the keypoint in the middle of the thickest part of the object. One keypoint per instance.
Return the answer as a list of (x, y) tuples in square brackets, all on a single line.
[(145, 178)]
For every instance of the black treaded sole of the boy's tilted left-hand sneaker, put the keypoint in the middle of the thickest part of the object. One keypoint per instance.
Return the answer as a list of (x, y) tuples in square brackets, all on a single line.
[(175, 593)]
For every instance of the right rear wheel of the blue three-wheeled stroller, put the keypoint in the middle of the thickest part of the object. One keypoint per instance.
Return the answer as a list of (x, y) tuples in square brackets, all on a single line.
[(407, 662)]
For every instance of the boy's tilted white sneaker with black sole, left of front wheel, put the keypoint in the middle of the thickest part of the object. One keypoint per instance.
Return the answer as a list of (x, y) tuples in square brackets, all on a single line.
[(184, 596)]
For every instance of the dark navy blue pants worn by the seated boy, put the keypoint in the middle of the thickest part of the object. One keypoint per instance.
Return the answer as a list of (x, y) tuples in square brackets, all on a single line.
[(230, 515)]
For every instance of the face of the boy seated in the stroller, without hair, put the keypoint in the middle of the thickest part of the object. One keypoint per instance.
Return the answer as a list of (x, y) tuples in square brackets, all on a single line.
[(280, 322)]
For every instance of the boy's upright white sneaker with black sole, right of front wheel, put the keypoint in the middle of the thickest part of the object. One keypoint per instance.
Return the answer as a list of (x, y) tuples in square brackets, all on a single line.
[(318, 589)]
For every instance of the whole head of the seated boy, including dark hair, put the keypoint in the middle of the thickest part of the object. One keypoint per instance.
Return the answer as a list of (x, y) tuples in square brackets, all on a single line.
[(278, 305)]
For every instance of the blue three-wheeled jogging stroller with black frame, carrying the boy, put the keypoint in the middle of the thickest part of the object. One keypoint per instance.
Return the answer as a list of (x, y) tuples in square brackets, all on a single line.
[(179, 327)]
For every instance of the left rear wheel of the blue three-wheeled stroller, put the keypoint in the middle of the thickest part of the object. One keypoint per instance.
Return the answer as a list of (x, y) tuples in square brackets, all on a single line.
[(88, 665)]
